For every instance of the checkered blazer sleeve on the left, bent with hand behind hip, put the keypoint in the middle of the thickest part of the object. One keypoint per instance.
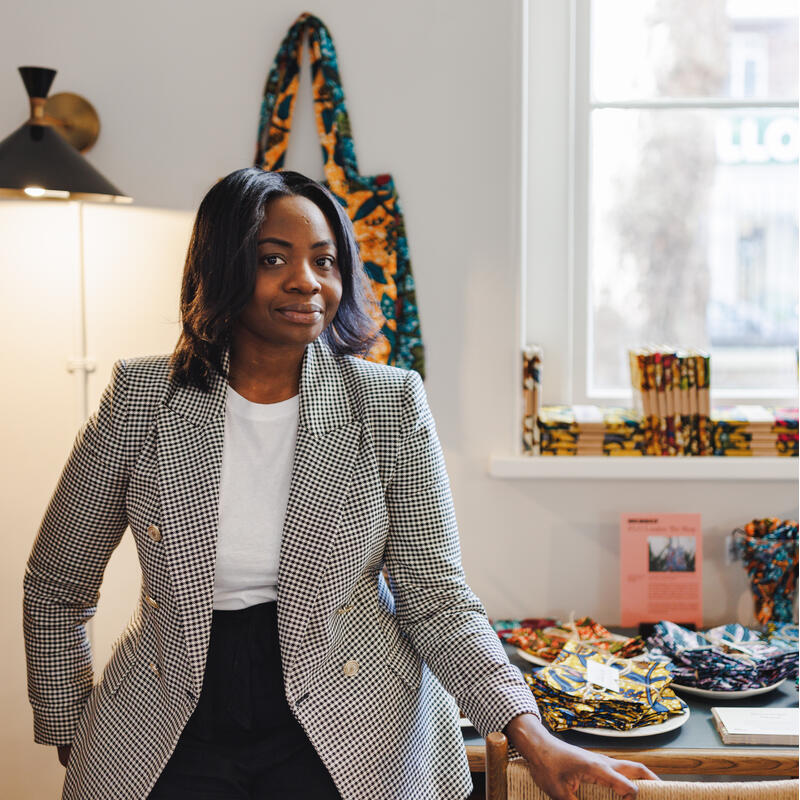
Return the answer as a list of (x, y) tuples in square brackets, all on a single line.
[(82, 525)]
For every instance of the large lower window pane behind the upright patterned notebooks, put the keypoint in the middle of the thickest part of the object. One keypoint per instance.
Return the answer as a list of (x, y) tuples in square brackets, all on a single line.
[(694, 242)]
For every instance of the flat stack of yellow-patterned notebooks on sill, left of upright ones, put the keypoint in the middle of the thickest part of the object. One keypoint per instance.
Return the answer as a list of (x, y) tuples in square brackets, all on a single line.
[(585, 430)]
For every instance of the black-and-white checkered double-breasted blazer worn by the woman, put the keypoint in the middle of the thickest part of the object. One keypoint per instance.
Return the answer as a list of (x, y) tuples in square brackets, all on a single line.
[(368, 488)]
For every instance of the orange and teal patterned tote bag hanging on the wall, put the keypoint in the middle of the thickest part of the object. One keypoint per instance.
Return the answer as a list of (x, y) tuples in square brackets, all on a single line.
[(371, 202)]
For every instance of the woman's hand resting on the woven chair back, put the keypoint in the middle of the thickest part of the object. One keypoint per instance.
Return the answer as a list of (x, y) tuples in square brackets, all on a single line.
[(559, 768)]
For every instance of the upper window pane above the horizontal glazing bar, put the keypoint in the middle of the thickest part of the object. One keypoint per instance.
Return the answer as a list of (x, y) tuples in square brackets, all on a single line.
[(643, 49)]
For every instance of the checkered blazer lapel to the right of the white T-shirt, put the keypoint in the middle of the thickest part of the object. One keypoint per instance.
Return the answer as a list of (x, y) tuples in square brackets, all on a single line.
[(328, 439)]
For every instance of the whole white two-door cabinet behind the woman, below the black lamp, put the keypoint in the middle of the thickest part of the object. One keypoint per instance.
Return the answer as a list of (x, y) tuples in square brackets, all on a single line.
[(133, 266)]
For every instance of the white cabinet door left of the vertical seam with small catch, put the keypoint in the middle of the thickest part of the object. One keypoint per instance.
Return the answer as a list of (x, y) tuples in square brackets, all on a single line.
[(39, 413)]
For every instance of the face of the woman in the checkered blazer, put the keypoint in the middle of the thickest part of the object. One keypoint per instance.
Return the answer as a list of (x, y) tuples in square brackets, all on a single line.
[(298, 283)]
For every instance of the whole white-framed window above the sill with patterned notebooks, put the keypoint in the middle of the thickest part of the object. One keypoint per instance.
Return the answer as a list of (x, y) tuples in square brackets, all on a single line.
[(684, 193)]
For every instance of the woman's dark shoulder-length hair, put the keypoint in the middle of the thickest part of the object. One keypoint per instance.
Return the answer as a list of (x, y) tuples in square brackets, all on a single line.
[(221, 264)]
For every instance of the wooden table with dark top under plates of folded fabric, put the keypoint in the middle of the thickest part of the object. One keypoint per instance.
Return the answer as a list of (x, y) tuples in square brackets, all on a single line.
[(694, 748)]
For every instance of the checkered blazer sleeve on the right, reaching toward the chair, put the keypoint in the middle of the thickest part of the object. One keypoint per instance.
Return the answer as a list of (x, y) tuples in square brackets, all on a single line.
[(435, 607)]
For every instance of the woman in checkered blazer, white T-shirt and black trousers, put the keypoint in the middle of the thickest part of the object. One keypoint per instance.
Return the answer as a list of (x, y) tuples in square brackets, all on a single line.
[(268, 475)]
